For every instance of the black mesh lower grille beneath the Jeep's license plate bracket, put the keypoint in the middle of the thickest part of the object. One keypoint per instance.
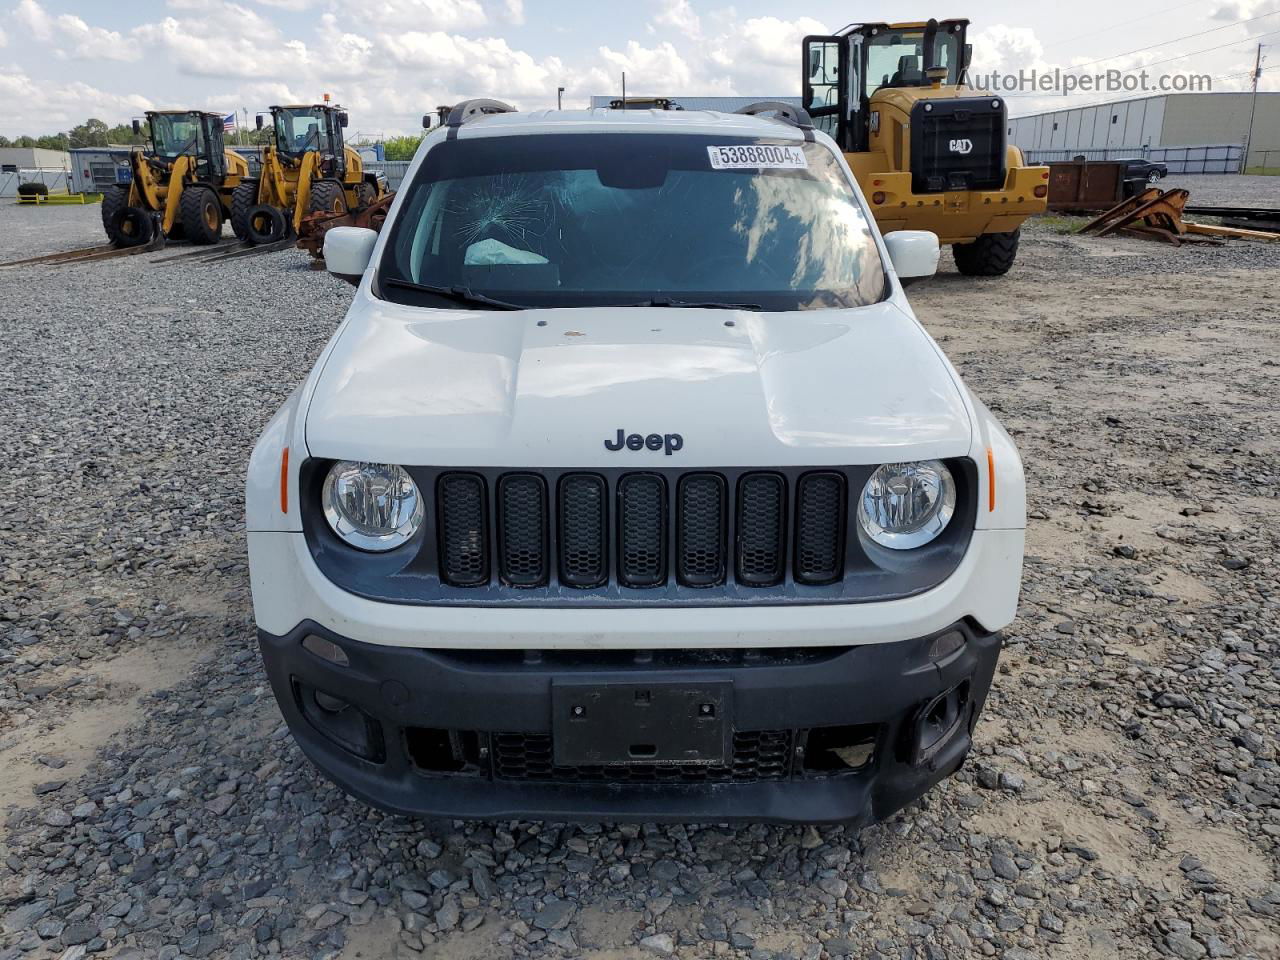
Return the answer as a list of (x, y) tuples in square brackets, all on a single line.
[(757, 756)]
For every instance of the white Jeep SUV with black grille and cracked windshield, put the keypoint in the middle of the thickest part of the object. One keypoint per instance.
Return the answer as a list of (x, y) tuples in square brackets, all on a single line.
[(632, 488)]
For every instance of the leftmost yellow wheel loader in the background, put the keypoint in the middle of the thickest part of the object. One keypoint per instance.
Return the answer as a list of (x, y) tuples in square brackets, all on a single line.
[(182, 182)]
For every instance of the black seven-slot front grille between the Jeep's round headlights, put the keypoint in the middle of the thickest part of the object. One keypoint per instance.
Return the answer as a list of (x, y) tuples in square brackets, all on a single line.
[(650, 533)]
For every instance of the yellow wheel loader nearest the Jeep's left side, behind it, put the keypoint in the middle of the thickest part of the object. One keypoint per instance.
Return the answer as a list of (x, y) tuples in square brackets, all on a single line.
[(307, 170)]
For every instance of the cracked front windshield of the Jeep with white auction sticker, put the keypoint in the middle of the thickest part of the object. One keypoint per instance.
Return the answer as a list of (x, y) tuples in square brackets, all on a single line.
[(627, 220)]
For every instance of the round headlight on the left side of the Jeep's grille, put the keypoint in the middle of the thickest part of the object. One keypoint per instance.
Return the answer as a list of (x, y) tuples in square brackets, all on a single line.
[(372, 506)]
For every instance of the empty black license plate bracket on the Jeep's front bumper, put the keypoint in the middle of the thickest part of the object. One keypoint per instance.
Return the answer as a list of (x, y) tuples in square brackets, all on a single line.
[(648, 724)]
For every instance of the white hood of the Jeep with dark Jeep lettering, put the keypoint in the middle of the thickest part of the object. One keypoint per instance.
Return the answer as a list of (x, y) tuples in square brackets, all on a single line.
[(546, 388)]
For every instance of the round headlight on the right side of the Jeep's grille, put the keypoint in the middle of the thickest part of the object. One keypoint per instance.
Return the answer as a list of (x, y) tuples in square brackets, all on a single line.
[(908, 505)]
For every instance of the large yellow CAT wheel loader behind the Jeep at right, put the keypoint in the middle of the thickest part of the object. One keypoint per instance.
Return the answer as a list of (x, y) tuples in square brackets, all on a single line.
[(929, 152)]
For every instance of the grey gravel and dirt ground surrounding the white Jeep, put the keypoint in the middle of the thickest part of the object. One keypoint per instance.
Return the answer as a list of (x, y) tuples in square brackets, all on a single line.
[(1124, 797)]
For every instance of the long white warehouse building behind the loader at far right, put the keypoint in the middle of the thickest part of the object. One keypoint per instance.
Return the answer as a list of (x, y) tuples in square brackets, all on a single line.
[(1192, 132)]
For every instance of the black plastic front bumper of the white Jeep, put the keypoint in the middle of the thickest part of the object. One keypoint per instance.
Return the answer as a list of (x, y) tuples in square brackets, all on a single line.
[(468, 734)]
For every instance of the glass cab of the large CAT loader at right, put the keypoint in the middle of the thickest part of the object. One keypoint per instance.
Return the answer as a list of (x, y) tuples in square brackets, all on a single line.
[(843, 72)]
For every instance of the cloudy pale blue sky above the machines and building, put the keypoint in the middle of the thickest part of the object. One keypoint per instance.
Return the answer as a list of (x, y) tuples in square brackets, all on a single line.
[(388, 62)]
